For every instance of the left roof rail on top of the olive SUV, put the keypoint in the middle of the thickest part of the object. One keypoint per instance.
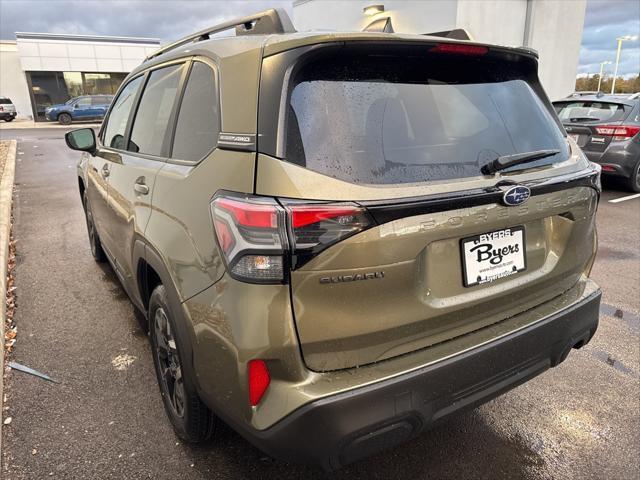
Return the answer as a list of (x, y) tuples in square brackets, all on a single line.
[(274, 20)]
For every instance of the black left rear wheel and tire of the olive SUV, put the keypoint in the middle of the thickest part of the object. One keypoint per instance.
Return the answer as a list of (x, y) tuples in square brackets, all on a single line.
[(191, 419)]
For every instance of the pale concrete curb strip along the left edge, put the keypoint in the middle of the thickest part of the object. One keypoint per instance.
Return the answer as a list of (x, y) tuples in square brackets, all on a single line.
[(6, 196)]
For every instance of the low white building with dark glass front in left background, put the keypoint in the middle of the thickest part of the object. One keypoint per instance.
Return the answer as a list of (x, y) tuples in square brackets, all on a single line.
[(42, 69)]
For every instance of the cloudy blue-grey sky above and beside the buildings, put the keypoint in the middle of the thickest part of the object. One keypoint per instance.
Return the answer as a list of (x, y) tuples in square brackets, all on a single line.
[(169, 19)]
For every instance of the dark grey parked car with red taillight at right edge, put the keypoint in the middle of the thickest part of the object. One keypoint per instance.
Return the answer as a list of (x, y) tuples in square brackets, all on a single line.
[(607, 128)]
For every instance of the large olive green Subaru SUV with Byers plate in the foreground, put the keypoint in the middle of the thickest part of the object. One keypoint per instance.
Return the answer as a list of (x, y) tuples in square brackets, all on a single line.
[(340, 238)]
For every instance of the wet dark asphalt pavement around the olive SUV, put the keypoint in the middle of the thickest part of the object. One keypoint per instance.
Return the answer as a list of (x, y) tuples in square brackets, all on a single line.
[(105, 420)]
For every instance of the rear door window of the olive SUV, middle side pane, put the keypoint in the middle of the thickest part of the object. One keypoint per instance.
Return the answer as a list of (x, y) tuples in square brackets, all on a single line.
[(152, 119)]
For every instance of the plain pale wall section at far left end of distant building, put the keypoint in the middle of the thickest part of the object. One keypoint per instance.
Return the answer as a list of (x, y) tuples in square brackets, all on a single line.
[(13, 83)]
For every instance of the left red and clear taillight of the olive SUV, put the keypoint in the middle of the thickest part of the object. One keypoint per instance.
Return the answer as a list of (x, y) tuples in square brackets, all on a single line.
[(260, 237)]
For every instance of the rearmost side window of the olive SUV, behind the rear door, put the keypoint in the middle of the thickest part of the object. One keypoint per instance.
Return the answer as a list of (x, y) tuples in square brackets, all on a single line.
[(199, 120)]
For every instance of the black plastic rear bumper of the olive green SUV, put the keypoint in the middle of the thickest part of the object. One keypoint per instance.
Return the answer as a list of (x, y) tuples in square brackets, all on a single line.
[(347, 427)]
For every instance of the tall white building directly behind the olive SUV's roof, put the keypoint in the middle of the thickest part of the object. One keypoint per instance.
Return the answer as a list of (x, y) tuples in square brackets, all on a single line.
[(553, 28)]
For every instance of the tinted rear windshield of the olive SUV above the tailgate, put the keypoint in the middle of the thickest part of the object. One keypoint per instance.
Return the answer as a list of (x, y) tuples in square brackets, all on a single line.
[(394, 120)]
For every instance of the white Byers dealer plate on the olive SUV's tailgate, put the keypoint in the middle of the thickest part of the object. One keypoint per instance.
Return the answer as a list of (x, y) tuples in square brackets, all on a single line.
[(490, 256)]
